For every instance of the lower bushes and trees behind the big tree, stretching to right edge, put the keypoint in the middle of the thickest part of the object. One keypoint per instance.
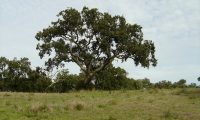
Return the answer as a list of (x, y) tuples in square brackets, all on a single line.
[(112, 78)]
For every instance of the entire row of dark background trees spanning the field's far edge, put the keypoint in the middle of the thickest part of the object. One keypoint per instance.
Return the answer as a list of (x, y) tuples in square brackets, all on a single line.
[(17, 75)]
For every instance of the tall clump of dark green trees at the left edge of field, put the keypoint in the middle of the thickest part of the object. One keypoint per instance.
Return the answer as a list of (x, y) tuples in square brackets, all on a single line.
[(17, 75)]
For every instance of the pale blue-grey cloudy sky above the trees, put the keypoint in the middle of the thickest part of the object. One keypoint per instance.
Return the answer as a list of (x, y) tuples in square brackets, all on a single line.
[(173, 26)]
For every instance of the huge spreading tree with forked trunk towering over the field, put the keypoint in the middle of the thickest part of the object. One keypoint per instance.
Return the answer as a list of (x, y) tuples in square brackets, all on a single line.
[(92, 40)]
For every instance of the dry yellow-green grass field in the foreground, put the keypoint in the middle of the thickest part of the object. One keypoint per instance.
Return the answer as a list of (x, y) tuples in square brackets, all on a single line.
[(153, 104)]
